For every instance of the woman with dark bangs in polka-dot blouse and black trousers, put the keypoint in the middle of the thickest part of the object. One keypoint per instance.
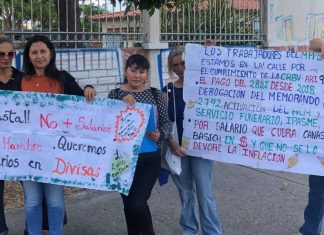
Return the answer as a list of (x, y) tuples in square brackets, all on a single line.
[(135, 89)]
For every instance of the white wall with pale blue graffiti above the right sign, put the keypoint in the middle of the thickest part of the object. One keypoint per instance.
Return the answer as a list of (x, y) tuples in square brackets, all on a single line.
[(294, 22)]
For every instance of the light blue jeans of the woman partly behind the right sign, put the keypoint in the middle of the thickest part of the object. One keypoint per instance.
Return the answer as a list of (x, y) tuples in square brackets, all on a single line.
[(196, 179)]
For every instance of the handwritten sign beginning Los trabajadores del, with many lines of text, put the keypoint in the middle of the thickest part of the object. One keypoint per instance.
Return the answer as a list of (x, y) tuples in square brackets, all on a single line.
[(260, 108)]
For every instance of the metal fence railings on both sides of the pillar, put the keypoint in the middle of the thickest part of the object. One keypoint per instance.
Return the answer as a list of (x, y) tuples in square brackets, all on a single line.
[(95, 24)]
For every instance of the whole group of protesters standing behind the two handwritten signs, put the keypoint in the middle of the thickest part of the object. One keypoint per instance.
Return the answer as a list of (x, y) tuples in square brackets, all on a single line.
[(40, 74)]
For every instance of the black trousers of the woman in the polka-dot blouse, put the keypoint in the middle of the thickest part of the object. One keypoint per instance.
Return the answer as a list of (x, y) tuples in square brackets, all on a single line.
[(137, 212)]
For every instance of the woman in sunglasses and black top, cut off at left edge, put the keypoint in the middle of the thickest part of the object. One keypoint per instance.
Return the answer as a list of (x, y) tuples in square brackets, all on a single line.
[(8, 77)]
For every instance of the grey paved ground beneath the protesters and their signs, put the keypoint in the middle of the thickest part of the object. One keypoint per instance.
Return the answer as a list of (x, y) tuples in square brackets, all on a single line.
[(249, 201)]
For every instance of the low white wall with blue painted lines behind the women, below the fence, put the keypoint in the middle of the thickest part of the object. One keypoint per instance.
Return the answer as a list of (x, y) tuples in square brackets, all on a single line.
[(102, 68)]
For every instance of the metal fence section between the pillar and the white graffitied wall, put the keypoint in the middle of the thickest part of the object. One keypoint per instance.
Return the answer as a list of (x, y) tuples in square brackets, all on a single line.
[(227, 21)]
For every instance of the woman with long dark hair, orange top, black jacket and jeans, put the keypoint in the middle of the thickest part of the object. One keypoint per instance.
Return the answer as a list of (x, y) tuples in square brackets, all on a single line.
[(42, 75)]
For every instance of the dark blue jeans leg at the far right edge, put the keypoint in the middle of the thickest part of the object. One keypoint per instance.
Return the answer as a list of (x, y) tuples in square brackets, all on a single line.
[(314, 211)]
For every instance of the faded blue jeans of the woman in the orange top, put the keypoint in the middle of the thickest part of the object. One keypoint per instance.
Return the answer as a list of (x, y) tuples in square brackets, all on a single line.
[(54, 194)]
